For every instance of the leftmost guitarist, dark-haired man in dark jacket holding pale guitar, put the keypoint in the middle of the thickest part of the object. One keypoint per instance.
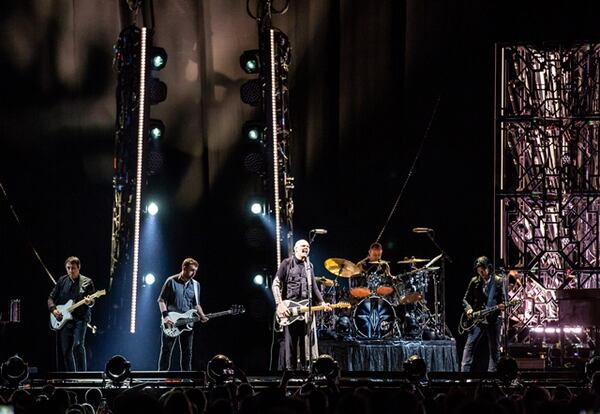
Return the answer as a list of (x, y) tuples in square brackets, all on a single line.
[(73, 286)]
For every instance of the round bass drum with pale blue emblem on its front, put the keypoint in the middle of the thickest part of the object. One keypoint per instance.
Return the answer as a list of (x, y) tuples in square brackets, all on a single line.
[(374, 318)]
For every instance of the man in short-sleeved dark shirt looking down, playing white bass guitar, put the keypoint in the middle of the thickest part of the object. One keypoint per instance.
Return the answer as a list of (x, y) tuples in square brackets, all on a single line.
[(179, 293)]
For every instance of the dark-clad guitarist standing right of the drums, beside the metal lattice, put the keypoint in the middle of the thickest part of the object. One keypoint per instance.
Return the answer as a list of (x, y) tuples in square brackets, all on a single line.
[(485, 290)]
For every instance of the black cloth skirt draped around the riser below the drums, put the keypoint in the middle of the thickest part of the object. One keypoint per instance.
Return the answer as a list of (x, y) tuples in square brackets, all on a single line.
[(389, 355)]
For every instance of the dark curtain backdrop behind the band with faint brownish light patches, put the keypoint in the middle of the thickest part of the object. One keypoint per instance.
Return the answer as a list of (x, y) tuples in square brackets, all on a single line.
[(365, 79)]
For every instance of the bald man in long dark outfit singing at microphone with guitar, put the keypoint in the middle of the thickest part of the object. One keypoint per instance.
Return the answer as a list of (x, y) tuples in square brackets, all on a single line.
[(292, 283)]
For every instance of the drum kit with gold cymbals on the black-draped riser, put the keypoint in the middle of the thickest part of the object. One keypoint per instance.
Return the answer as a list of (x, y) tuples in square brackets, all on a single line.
[(384, 306)]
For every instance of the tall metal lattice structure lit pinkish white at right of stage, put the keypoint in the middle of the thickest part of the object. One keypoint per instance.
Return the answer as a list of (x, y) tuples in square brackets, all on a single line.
[(547, 174)]
